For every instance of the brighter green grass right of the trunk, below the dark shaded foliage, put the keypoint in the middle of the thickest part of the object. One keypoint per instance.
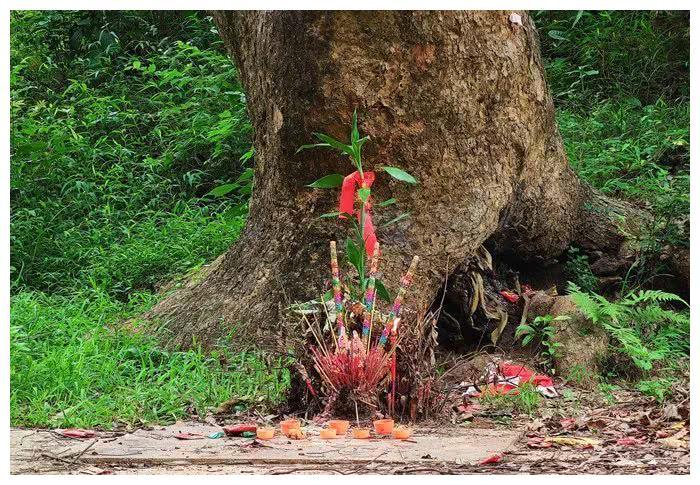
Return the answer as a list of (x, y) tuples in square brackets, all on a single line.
[(639, 153)]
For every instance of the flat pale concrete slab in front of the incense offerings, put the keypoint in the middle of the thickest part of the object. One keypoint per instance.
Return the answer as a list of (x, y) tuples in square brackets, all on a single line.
[(47, 451)]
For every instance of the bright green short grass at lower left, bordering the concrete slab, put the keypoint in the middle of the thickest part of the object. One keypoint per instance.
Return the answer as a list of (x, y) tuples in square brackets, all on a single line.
[(75, 363)]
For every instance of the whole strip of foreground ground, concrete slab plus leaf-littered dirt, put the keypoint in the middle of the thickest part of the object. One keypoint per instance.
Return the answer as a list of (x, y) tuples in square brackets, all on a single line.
[(572, 434)]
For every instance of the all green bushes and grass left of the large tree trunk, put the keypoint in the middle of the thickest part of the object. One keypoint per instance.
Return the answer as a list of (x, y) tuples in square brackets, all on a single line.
[(121, 124)]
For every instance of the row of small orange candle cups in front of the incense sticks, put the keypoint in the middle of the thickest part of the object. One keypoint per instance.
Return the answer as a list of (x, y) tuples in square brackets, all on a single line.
[(337, 428)]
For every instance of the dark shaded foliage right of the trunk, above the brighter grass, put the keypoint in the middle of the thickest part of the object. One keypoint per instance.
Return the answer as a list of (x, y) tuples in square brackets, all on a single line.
[(595, 56)]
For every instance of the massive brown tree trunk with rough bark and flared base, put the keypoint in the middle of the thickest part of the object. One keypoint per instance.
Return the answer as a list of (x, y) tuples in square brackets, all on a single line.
[(459, 99)]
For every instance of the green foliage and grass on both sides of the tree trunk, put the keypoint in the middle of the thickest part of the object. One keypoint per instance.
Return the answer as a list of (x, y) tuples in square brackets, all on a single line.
[(129, 153)]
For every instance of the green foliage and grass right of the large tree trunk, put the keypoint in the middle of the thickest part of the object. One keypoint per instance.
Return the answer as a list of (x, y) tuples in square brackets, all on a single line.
[(621, 84)]
